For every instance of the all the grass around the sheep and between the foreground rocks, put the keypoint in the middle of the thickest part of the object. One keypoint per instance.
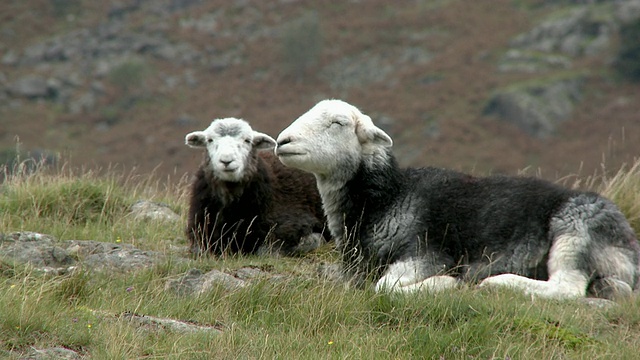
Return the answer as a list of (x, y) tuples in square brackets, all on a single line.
[(298, 316)]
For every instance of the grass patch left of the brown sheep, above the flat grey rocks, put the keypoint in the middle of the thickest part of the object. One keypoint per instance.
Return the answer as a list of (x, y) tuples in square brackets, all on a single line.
[(85, 205)]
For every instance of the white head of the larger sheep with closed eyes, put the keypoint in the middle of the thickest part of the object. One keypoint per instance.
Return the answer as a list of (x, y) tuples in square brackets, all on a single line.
[(332, 137)]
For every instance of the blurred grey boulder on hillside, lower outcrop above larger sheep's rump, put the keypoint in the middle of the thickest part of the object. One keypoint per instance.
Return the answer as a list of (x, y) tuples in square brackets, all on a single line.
[(537, 109)]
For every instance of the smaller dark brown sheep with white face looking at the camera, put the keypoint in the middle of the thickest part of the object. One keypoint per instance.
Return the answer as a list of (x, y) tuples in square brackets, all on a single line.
[(243, 200)]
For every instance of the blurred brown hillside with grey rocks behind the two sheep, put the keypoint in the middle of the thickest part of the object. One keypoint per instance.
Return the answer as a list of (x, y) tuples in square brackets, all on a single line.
[(552, 86)]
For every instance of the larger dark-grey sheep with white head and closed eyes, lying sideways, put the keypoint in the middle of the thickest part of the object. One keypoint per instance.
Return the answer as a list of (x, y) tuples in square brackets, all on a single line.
[(434, 229)]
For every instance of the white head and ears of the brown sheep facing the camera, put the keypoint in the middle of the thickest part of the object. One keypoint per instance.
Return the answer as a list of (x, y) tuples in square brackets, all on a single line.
[(230, 144)]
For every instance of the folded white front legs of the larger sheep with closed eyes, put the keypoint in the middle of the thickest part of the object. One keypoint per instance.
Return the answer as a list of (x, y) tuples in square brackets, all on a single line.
[(407, 277)]
